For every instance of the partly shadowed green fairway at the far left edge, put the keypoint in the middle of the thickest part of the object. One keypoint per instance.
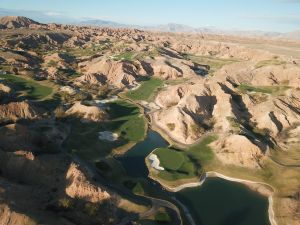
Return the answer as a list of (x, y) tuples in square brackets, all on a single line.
[(30, 88)]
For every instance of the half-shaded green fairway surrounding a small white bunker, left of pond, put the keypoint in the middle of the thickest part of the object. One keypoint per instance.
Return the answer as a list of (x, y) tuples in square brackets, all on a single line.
[(125, 120)]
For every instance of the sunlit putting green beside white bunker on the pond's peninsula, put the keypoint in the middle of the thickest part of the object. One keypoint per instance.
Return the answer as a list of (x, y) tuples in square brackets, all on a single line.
[(170, 159)]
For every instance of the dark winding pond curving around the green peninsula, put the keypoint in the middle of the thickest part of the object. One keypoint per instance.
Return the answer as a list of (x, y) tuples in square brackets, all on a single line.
[(216, 202)]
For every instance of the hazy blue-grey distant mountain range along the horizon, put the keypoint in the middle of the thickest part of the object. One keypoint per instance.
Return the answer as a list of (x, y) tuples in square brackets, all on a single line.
[(51, 17)]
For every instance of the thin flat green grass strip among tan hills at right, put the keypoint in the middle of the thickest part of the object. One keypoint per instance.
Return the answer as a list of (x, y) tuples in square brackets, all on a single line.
[(243, 88)]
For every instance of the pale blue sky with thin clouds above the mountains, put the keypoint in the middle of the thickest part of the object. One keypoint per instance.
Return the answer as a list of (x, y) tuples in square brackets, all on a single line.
[(265, 15)]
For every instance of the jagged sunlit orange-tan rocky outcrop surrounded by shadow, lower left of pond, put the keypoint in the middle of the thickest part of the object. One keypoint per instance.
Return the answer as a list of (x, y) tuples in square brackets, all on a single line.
[(79, 187)]
